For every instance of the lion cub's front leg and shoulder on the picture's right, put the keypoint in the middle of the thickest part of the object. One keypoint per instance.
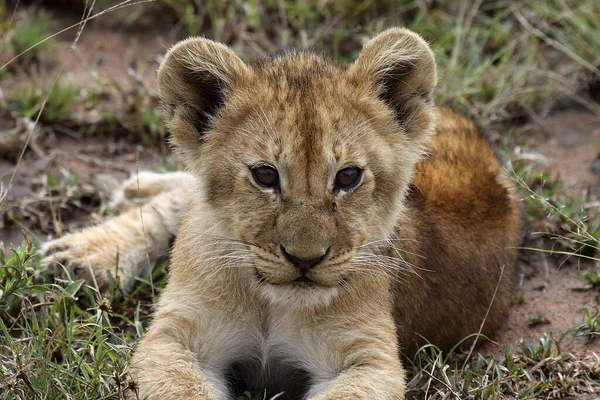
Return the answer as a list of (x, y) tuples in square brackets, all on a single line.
[(350, 348)]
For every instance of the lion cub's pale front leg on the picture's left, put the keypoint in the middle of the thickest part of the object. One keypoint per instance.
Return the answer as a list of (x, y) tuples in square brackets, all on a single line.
[(171, 362)]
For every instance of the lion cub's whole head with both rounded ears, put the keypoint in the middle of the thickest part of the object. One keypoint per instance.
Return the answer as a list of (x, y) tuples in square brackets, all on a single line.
[(305, 160)]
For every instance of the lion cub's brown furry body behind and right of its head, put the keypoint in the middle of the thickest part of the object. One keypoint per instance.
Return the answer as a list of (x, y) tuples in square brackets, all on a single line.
[(463, 219)]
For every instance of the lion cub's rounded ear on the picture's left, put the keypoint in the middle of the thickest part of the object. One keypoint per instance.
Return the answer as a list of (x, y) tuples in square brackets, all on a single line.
[(194, 80)]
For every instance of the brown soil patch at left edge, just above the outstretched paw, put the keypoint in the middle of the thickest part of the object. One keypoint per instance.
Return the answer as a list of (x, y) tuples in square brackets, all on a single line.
[(94, 165)]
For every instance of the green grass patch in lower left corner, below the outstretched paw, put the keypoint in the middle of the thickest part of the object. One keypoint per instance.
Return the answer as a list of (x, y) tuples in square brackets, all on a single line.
[(64, 340)]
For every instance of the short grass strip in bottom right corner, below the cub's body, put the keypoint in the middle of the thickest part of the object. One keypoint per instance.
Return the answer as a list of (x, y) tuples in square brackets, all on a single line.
[(531, 371)]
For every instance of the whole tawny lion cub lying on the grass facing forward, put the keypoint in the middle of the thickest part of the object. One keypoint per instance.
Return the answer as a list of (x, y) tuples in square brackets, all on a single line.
[(327, 224)]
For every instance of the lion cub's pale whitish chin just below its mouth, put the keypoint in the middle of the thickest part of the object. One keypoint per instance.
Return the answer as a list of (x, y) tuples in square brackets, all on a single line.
[(299, 295)]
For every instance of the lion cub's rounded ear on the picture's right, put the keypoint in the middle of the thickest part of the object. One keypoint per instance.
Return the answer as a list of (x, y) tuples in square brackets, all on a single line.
[(399, 65)]
